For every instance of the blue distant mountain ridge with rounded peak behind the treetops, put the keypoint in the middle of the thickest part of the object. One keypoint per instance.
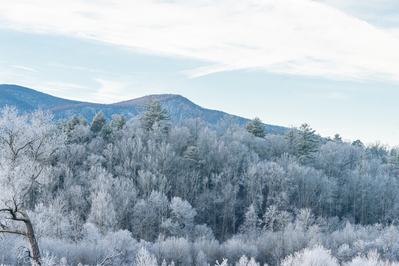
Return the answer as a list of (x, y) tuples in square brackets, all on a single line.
[(28, 100)]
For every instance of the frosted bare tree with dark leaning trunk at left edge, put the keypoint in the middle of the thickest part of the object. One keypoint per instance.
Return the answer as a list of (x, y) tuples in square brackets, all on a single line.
[(27, 143)]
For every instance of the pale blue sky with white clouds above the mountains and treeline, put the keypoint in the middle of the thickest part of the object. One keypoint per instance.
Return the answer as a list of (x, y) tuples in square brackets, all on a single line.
[(333, 64)]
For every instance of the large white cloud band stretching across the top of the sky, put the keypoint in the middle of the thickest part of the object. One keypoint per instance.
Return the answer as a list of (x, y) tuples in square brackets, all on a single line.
[(299, 37)]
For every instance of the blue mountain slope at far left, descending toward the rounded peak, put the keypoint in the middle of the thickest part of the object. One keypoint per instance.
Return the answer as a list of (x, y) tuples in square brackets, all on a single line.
[(28, 100)]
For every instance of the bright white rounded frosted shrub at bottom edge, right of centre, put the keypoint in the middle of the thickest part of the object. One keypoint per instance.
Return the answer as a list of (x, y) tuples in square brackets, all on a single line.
[(318, 256)]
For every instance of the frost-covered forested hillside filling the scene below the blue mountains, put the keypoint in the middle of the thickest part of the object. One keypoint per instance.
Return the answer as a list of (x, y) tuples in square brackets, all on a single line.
[(148, 192)]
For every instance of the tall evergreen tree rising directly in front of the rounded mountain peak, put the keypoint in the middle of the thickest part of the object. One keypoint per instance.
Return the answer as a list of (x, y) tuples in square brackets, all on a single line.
[(154, 113)]
